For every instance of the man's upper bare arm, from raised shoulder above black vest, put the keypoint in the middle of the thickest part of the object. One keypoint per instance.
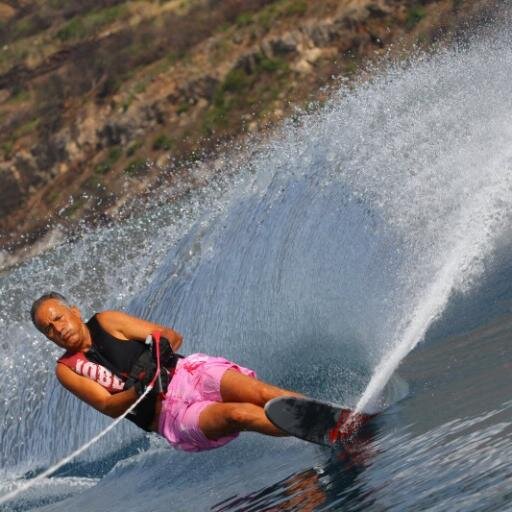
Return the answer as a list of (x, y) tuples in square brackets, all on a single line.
[(124, 326)]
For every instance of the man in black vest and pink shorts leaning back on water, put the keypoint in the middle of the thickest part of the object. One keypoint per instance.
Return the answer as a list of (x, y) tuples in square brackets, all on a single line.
[(204, 402)]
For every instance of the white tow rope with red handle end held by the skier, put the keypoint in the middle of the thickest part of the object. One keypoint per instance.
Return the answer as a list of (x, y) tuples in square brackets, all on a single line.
[(154, 336)]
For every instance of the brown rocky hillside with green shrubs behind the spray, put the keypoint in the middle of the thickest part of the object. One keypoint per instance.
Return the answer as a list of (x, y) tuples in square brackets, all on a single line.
[(105, 99)]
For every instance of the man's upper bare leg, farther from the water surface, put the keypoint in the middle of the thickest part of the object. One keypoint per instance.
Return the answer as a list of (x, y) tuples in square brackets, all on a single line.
[(237, 387)]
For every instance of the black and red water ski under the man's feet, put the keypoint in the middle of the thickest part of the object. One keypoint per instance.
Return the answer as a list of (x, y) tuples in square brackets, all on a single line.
[(313, 420)]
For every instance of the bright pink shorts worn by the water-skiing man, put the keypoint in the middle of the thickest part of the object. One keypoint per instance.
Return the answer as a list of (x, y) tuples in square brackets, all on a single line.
[(194, 386)]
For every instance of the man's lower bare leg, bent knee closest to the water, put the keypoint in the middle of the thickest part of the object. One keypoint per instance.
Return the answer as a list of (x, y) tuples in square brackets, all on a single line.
[(224, 419)]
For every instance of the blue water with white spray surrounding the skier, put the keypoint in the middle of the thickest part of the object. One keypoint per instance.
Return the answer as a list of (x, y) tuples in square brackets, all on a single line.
[(361, 255)]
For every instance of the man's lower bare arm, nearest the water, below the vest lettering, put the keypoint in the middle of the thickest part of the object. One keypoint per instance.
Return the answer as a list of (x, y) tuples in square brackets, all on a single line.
[(94, 394)]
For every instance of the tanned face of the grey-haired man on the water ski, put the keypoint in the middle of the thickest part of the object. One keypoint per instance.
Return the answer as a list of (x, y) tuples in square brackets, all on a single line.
[(61, 324)]
